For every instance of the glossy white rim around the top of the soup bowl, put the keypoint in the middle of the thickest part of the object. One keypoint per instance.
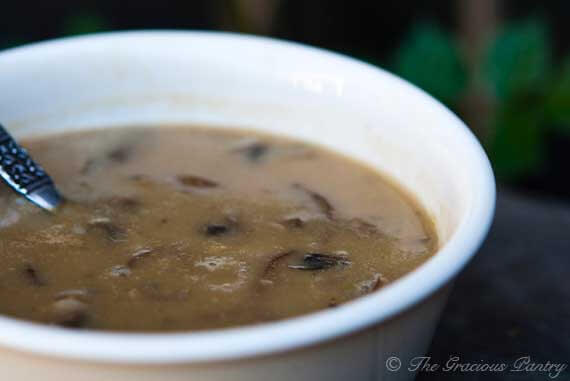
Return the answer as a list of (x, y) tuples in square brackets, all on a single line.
[(288, 334)]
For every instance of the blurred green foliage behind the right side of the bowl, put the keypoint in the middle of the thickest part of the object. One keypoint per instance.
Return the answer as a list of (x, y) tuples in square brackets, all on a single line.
[(530, 95)]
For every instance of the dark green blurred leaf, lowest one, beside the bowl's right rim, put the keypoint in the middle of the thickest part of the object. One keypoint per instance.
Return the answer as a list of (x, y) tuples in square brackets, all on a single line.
[(517, 147)]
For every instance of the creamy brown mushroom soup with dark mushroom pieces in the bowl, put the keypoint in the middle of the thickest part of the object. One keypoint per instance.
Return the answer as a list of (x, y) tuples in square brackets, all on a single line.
[(178, 228)]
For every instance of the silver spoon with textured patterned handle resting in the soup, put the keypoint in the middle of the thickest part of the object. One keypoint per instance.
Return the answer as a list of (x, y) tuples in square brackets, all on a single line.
[(20, 172)]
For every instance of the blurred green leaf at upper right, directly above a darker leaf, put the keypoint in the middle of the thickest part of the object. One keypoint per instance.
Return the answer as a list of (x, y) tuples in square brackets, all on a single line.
[(518, 59)]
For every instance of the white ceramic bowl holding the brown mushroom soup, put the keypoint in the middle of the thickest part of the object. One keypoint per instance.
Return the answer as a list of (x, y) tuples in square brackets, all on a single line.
[(285, 88)]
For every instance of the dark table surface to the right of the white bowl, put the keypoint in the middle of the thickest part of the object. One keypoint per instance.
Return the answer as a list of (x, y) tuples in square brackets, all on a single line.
[(513, 300)]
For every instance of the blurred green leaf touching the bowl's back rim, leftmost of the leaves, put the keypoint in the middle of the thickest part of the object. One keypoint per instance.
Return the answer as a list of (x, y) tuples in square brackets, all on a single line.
[(428, 57)]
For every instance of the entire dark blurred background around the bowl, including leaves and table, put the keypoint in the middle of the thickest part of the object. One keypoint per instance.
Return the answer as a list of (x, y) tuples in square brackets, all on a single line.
[(503, 66)]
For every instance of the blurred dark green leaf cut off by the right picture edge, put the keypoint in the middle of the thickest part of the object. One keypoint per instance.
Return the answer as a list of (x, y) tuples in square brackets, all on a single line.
[(558, 100)]
